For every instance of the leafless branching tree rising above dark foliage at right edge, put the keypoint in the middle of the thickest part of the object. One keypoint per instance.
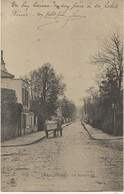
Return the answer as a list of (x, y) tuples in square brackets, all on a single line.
[(110, 58)]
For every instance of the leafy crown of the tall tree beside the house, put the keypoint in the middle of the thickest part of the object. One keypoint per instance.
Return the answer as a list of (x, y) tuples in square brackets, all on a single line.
[(46, 87)]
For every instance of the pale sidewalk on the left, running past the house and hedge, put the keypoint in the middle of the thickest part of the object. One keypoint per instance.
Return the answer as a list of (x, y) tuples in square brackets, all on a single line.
[(27, 139)]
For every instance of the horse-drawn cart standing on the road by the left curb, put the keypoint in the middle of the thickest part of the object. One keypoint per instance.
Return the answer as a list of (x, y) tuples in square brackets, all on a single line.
[(53, 126)]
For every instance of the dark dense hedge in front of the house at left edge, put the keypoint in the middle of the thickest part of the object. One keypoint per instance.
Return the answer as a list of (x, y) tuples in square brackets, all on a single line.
[(10, 115)]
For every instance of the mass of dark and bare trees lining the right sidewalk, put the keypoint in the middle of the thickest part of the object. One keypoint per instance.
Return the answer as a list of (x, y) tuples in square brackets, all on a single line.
[(103, 107)]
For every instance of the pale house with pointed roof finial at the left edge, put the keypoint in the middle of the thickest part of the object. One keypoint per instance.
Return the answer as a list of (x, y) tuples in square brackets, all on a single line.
[(28, 122)]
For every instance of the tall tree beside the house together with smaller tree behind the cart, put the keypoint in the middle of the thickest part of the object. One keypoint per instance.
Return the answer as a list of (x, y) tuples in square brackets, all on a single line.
[(46, 90)]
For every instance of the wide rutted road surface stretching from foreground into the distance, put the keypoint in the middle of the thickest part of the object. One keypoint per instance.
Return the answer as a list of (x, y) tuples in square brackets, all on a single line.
[(73, 162)]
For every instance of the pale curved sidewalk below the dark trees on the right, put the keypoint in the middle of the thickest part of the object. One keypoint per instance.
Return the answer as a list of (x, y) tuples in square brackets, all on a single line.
[(97, 134)]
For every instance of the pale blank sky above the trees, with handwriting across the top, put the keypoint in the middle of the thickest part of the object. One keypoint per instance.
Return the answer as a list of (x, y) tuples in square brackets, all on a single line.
[(68, 47)]
